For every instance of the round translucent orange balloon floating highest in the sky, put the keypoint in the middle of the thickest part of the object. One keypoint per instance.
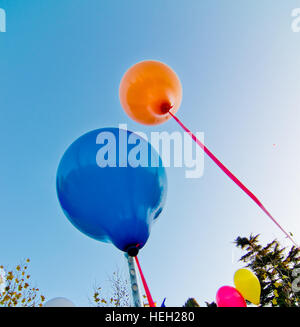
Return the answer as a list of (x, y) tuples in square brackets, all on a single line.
[(148, 91)]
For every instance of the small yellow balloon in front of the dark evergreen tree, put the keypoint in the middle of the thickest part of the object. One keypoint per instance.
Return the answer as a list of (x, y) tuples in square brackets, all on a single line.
[(248, 285)]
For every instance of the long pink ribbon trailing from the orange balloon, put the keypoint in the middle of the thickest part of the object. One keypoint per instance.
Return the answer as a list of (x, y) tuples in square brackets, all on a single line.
[(232, 177)]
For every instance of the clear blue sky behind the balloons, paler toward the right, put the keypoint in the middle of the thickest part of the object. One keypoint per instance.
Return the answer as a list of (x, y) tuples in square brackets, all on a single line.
[(60, 67)]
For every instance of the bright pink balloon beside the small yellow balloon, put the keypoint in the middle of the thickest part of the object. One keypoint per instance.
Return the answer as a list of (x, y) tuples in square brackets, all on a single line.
[(228, 296)]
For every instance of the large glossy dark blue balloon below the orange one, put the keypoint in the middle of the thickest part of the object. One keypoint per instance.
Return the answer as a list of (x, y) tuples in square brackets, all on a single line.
[(112, 186)]
